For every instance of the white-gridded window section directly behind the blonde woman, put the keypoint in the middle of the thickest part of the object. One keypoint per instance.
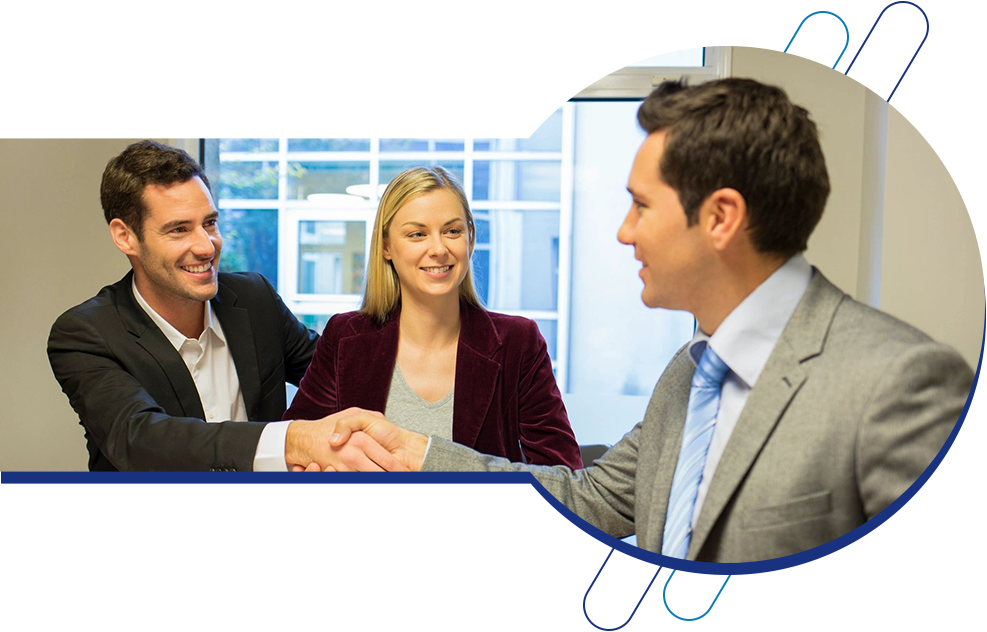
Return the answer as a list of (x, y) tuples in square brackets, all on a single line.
[(301, 212)]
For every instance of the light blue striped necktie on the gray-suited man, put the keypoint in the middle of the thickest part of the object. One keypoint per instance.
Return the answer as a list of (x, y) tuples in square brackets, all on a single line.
[(704, 403)]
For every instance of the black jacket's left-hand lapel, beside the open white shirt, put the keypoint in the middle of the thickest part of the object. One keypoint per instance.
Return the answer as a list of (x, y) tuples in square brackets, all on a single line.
[(152, 340)]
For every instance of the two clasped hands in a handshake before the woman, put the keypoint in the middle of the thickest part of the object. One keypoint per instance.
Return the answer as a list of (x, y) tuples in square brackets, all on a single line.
[(353, 440)]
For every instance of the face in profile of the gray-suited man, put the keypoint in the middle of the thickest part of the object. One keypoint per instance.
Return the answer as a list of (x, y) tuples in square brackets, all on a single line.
[(671, 252)]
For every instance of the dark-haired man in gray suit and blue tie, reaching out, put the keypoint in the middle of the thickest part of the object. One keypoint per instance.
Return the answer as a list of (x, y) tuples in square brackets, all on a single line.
[(796, 413)]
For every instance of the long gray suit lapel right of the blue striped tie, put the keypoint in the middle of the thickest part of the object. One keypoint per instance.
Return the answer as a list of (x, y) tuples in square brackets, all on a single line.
[(781, 379)]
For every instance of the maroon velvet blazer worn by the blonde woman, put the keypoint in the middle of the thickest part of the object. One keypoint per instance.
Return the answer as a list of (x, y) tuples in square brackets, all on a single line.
[(506, 399)]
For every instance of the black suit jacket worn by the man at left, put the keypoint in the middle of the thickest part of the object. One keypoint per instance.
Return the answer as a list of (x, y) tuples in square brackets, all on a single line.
[(135, 397)]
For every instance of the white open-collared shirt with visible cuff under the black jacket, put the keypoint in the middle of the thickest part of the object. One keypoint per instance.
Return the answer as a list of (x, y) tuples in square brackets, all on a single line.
[(212, 369)]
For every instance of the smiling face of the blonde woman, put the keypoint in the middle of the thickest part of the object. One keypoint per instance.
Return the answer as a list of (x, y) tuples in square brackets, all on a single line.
[(428, 244)]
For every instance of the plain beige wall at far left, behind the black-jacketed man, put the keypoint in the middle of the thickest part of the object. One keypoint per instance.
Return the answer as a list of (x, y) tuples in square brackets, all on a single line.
[(56, 253)]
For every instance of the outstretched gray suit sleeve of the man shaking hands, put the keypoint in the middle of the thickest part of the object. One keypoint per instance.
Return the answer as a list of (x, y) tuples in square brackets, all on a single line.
[(602, 494)]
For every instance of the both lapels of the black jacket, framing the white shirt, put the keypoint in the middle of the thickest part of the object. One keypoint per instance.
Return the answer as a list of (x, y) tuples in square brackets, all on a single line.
[(236, 328)]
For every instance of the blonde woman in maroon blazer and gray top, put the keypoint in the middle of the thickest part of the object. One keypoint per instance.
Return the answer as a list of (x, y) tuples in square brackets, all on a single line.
[(422, 349)]
